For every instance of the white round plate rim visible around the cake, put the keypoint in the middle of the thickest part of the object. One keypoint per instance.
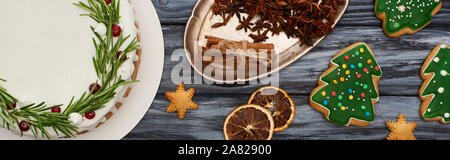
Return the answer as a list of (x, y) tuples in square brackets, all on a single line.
[(143, 93)]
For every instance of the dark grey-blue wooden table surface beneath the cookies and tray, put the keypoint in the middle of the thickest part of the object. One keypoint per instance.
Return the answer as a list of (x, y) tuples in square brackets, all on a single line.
[(400, 59)]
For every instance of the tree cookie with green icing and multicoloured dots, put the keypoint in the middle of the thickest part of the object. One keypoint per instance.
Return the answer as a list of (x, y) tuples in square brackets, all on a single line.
[(348, 91)]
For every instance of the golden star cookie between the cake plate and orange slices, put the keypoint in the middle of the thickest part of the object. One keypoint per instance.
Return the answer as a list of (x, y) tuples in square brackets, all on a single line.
[(181, 100)]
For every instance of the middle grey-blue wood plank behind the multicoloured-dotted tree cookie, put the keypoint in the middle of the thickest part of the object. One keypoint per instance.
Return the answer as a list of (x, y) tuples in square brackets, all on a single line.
[(399, 58)]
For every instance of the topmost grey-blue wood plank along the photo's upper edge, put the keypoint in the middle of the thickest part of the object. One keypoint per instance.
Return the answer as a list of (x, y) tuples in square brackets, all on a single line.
[(359, 12)]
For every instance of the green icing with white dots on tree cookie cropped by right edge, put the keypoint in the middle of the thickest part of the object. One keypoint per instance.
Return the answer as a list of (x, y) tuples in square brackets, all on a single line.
[(439, 86)]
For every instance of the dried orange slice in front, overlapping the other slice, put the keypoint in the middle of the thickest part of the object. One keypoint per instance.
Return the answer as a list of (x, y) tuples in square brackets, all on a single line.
[(249, 122)]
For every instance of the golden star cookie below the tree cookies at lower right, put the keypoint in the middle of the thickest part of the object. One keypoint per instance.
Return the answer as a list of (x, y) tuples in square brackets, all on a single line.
[(401, 130)]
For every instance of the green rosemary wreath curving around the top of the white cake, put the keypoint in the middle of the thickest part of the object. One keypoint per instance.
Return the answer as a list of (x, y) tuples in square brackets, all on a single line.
[(106, 64)]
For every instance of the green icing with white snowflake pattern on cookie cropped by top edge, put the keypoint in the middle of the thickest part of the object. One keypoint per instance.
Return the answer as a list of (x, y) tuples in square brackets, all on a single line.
[(400, 14)]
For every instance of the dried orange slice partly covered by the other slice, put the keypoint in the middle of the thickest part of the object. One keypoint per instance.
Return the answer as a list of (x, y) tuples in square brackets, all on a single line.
[(278, 102)]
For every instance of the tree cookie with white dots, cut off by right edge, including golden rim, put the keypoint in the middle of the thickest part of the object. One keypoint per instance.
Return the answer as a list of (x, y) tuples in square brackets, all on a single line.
[(435, 91)]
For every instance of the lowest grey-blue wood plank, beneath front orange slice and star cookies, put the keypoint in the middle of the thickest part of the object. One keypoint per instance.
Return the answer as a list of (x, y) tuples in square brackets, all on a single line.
[(207, 121)]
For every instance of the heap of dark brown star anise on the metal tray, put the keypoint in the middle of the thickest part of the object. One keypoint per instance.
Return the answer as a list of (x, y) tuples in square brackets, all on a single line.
[(304, 19)]
